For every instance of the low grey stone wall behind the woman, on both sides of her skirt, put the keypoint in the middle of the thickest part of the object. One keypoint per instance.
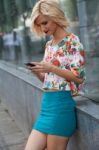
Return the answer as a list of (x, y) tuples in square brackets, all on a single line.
[(21, 92)]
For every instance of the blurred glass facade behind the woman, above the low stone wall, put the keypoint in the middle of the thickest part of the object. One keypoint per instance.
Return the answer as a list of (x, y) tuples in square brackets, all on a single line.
[(18, 45)]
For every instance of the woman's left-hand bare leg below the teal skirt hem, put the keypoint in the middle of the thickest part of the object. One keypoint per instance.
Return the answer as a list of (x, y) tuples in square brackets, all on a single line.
[(36, 141)]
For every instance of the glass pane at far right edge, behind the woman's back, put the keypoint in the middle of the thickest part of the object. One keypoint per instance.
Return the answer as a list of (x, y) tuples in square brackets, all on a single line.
[(92, 12)]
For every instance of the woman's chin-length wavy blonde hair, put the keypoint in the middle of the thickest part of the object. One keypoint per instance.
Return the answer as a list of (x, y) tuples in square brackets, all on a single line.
[(48, 8)]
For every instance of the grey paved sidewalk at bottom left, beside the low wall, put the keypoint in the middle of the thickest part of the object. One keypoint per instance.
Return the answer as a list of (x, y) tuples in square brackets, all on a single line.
[(11, 137)]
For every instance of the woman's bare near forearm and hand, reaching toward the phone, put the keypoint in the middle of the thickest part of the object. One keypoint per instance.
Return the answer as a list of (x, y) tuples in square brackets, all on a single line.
[(43, 67)]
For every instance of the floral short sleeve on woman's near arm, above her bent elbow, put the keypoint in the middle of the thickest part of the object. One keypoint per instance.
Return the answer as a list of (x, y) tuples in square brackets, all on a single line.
[(76, 56)]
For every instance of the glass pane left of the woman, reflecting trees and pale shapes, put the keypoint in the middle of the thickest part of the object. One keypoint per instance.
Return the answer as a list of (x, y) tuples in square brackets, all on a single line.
[(17, 43)]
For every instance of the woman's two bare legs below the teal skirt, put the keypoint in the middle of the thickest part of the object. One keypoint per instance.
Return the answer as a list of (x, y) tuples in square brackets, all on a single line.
[(39, 141)]
